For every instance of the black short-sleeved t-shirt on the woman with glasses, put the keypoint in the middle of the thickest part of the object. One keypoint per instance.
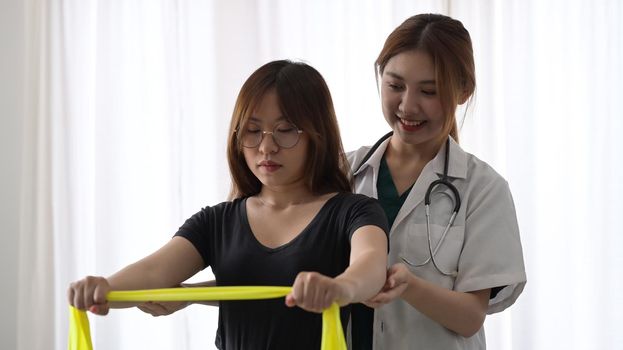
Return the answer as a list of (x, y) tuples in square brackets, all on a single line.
[(223, 237)]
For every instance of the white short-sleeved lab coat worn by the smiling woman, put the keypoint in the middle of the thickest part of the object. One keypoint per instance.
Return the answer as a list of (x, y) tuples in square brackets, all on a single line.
[(483, 245)]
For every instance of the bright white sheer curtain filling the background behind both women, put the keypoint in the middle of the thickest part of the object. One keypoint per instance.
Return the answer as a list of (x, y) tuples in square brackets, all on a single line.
[(127, 116)]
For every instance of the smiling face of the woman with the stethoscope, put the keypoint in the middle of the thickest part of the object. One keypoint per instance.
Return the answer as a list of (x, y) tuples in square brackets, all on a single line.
[(411, 103)]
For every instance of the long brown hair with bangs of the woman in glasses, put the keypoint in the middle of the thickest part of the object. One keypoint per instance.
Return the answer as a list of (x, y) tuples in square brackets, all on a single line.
[(305, 100)]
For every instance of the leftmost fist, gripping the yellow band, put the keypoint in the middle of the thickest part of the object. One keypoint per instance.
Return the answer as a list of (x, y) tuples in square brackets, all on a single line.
[(90, 293)]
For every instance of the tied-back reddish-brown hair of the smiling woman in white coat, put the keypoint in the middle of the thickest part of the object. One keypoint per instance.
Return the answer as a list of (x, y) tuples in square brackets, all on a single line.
[(450, 47)]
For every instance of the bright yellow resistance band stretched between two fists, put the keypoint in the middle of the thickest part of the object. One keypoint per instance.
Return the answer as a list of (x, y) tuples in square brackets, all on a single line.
[(80, 335)]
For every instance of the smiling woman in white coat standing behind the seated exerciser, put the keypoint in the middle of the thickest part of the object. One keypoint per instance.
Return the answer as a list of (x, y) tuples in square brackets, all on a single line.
[(439, 286)]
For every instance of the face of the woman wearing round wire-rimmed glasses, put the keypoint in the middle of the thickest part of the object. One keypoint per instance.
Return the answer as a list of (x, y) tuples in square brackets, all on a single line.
[(276, 167)]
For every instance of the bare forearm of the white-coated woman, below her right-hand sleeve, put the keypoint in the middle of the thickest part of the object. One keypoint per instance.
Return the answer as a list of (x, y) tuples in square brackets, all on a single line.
[(460, 312)]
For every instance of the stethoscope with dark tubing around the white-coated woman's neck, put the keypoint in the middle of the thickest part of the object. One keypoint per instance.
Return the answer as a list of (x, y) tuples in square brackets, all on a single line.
[(455, 198)]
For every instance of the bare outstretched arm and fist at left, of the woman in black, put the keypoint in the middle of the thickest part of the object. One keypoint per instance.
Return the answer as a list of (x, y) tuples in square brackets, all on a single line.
[(175, 262)]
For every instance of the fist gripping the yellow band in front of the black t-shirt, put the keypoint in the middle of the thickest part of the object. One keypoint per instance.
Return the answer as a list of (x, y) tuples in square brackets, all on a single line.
[(315, 292)]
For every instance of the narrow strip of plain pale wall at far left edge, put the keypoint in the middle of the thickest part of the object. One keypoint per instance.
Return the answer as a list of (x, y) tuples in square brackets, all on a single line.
[(11, 112)]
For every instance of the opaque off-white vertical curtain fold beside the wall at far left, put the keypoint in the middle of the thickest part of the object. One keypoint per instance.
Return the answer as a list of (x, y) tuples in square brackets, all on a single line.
[(36, 294)]
